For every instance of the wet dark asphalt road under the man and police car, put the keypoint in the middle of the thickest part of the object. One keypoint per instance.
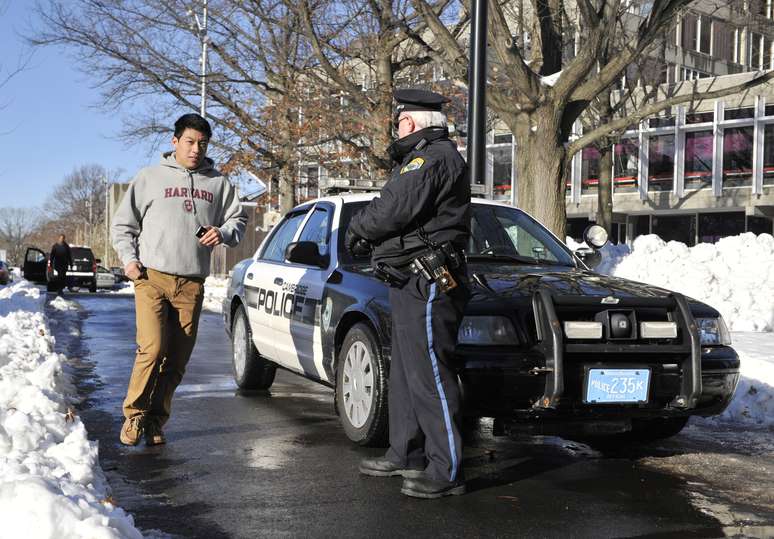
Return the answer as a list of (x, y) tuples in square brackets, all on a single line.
[(277, 464)]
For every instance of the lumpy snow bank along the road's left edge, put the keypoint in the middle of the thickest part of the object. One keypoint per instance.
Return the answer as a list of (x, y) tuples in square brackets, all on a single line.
[(51, 484)]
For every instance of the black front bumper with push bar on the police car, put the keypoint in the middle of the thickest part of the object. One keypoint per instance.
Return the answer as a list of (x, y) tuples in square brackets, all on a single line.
[(547, 379)]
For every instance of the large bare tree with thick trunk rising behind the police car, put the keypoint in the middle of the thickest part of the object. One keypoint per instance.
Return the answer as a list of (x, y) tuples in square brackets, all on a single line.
[(539, 89)]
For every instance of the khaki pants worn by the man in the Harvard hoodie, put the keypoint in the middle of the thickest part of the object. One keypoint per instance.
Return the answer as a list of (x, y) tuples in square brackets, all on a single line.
[(168, 309)]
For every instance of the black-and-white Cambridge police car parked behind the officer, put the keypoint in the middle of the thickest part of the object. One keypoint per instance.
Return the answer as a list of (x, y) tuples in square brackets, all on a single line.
[(545, 344)]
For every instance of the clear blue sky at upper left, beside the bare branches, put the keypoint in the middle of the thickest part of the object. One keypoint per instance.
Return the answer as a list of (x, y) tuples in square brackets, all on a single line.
[(50, 124)]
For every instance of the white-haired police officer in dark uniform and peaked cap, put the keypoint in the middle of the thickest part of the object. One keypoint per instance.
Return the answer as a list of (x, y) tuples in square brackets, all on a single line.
[(418, 227)]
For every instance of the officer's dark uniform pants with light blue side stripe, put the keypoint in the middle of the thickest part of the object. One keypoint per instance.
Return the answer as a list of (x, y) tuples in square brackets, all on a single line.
[(424, 398)]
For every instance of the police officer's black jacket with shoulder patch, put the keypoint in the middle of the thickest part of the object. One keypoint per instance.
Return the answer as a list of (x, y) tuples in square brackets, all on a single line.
[(428, 188)]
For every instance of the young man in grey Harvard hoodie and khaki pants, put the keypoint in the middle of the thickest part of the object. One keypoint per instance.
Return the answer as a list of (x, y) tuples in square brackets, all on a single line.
[(169, 220)]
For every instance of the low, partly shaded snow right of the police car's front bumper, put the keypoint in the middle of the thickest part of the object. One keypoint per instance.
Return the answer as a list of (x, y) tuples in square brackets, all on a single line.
[(753, 402)]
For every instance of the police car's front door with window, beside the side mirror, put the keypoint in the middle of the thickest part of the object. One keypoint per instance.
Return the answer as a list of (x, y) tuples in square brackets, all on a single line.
[(299, 337)]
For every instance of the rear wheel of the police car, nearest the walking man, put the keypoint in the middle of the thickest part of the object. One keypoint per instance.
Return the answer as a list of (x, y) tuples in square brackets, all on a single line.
[(251, 371)]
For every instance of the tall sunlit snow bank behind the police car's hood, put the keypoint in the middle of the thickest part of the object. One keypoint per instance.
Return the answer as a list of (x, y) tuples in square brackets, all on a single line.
[(734, 275)]
